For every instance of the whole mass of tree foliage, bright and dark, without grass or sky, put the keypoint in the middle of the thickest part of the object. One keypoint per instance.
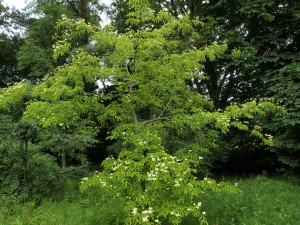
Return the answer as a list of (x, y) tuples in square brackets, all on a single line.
[(176, 91)]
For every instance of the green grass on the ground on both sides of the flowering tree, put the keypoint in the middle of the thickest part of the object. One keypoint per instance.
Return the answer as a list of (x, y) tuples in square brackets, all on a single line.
[(262, 201)]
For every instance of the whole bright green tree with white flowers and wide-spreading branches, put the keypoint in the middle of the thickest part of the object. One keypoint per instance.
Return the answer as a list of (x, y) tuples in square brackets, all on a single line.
[(149, 69)]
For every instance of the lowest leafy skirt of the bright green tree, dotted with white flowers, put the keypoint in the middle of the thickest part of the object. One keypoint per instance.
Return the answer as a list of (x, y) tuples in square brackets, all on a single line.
[(158, 187)]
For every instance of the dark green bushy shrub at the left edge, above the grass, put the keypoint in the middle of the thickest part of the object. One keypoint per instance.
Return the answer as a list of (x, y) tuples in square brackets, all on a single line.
[(24, 171)]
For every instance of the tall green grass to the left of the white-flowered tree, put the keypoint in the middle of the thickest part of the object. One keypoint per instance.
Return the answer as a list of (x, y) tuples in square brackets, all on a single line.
[(74, 208)]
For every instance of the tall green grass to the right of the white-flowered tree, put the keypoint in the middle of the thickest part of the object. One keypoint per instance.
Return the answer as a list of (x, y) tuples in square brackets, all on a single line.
[(262, 201)]
